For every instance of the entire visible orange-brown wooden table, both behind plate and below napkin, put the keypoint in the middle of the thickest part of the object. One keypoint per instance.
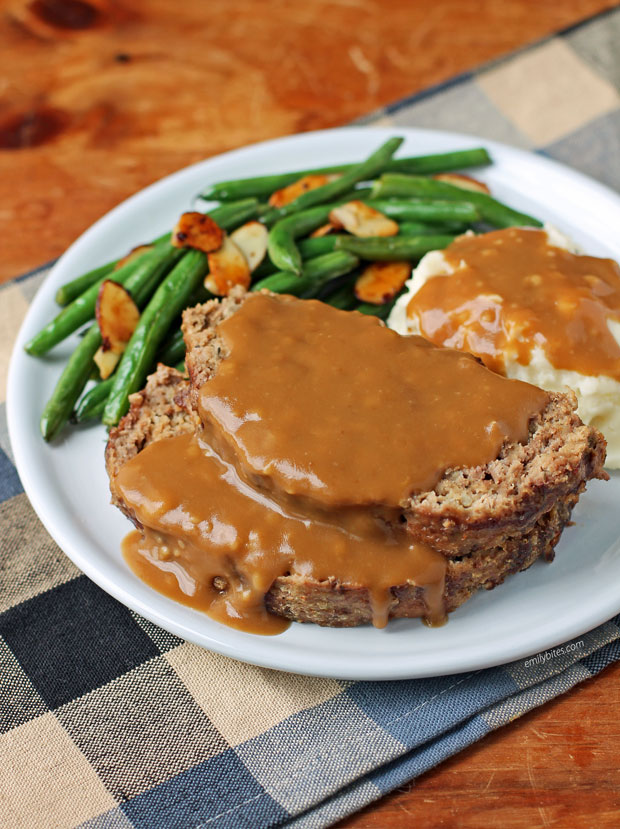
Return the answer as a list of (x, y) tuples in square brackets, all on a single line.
[(100, 98)]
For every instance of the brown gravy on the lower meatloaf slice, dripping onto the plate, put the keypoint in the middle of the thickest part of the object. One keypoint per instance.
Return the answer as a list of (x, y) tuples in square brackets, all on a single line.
[(206, 523)]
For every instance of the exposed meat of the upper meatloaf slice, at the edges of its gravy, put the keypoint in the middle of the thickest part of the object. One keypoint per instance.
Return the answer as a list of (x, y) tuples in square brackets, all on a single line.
[(481, 508)]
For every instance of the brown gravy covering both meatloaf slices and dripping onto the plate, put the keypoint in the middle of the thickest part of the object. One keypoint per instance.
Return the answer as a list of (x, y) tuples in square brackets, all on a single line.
[(318, 426)]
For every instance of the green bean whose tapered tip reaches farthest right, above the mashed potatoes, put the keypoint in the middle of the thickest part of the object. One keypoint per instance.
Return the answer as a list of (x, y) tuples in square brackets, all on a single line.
[(491, 210)]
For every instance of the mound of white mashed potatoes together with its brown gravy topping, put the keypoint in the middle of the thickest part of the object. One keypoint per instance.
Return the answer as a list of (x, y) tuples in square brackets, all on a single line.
[(530, 308)]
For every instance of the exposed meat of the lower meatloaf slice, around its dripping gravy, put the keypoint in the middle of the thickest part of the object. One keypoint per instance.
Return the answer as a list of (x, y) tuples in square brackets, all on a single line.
[(162, 409)]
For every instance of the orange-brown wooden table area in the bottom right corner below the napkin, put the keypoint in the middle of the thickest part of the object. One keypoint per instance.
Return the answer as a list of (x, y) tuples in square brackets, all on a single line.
[(558, 766)]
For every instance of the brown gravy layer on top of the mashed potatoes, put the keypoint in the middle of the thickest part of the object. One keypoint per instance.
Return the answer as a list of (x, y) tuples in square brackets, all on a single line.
[(512, 291)]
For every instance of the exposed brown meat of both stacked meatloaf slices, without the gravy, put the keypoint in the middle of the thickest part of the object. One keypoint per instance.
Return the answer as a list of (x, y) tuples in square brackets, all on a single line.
[(481, 559)]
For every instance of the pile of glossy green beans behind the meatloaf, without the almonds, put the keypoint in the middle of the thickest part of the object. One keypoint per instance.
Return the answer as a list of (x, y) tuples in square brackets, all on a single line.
[(163, 279)]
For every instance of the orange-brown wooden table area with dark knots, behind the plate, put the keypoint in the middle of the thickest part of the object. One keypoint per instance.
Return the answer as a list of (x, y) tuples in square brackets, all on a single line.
[(99, 98)]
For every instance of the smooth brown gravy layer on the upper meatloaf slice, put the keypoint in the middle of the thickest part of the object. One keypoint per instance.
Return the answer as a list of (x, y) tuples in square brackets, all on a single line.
[(333, 406)]
